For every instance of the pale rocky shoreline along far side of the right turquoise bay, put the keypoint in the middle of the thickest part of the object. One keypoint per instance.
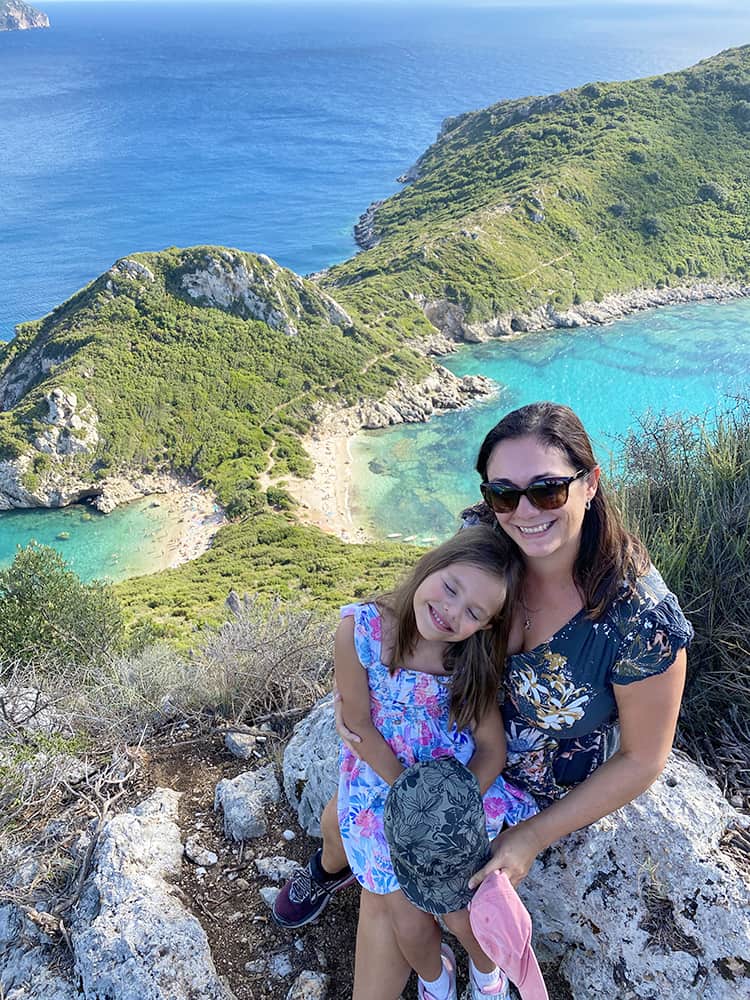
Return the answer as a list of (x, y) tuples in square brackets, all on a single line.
[(450, 319)]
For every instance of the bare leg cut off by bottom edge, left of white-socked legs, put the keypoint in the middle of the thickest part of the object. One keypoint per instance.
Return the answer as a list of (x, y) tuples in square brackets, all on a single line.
[(380, 969)]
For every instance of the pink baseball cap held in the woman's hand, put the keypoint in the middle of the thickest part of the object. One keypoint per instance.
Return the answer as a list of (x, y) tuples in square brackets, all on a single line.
[(502, 926)]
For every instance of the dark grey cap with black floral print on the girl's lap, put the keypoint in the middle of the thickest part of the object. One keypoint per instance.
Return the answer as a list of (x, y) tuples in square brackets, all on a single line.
[(435, 827)]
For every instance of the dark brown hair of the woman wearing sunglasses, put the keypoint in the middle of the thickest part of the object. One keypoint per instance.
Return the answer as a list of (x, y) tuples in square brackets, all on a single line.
[(609, 556)]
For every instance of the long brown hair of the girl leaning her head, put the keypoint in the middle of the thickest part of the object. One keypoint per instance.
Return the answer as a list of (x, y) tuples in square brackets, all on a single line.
[(477, 663)]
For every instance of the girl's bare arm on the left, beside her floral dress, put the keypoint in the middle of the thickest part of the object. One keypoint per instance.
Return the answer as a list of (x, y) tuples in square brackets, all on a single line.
[(351, 681)]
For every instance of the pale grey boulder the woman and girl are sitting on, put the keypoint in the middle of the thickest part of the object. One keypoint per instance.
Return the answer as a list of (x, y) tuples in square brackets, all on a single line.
[(645, 903)]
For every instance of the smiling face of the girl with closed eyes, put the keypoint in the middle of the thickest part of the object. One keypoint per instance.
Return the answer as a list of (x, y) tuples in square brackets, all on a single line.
[(453, 603)]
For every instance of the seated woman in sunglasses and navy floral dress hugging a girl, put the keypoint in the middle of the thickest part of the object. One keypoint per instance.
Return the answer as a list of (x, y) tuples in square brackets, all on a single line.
[(593, 680)]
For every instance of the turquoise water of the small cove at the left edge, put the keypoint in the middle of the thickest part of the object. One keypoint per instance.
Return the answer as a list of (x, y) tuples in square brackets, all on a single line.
[(132, 540)]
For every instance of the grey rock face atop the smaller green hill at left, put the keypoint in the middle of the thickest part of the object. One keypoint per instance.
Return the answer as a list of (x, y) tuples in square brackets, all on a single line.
[(255, 287)]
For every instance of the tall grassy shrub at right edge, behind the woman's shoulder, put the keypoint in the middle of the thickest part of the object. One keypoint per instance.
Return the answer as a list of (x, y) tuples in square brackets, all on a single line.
[(687, 493)]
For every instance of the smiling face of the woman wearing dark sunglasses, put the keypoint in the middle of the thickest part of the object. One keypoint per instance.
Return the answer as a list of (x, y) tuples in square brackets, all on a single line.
[(540, 533)]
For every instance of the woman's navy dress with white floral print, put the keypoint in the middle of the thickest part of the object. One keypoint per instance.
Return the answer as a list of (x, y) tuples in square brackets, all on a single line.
[(560, 712)]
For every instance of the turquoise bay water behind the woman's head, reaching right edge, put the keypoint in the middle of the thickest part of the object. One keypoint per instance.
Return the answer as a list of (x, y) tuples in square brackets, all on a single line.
[(415, 479)]
